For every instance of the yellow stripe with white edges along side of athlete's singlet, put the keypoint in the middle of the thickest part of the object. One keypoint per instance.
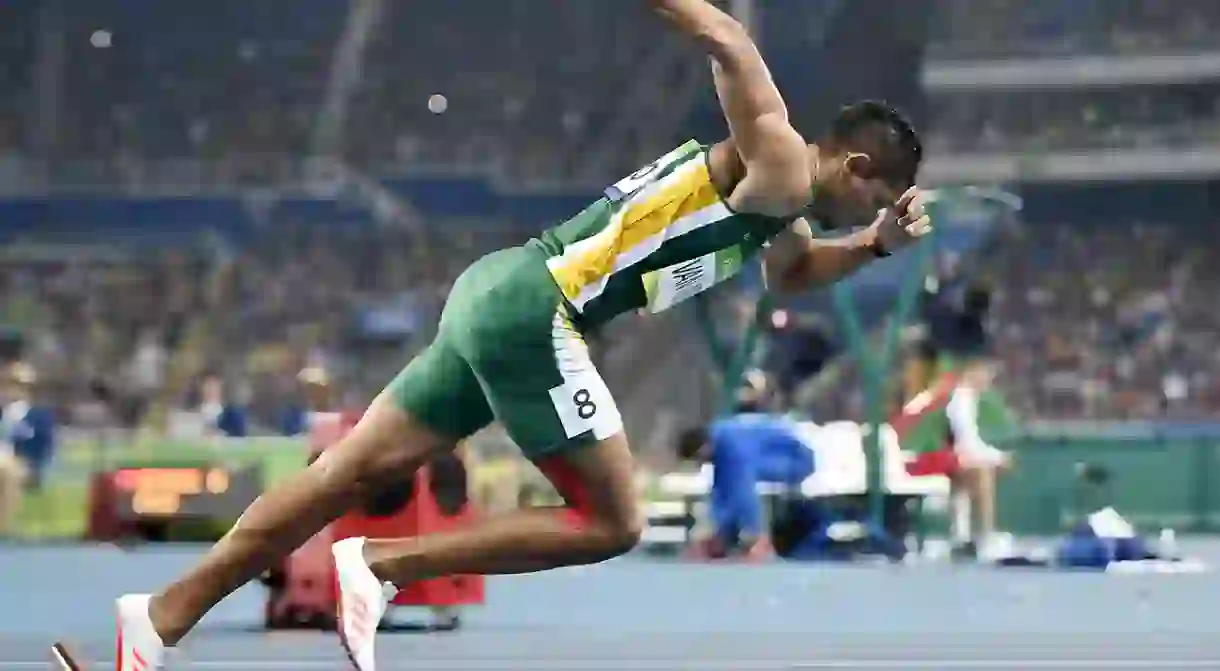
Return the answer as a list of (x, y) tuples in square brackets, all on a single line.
[(676, 204)]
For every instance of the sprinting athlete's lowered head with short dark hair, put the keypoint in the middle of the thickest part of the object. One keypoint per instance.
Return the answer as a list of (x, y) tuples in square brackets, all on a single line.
[(866, 162)]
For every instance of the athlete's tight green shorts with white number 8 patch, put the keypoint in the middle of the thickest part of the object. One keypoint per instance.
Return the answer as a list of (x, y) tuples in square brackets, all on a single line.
[(507, 352)]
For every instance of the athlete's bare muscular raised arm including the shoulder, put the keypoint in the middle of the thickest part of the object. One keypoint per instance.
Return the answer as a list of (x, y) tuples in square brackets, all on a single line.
[(778, 180)]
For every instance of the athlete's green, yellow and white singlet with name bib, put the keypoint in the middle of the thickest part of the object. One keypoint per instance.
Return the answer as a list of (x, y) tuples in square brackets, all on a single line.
[(657, 237)]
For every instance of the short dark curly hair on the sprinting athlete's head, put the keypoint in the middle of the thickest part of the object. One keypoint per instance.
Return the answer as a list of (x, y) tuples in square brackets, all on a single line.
[(903, 149)]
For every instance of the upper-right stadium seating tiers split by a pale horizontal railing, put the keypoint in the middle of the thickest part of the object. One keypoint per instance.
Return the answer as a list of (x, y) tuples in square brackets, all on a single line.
[(1140, 115)]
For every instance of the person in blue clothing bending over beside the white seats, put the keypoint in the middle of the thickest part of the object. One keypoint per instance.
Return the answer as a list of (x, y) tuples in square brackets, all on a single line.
[(746, 451)]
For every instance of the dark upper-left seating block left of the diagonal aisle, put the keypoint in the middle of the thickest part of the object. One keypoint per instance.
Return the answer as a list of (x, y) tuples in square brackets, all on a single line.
[(207, 81)]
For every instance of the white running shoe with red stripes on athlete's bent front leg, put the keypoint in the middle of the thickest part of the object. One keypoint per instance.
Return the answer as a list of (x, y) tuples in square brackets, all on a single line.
[(362, 601)]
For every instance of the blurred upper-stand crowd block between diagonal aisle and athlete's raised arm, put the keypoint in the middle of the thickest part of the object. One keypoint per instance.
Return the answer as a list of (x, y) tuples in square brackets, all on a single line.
[(511, 102)]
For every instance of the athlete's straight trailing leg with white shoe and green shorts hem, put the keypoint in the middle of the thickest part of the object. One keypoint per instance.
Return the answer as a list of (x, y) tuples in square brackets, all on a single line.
[(391, 441)]
